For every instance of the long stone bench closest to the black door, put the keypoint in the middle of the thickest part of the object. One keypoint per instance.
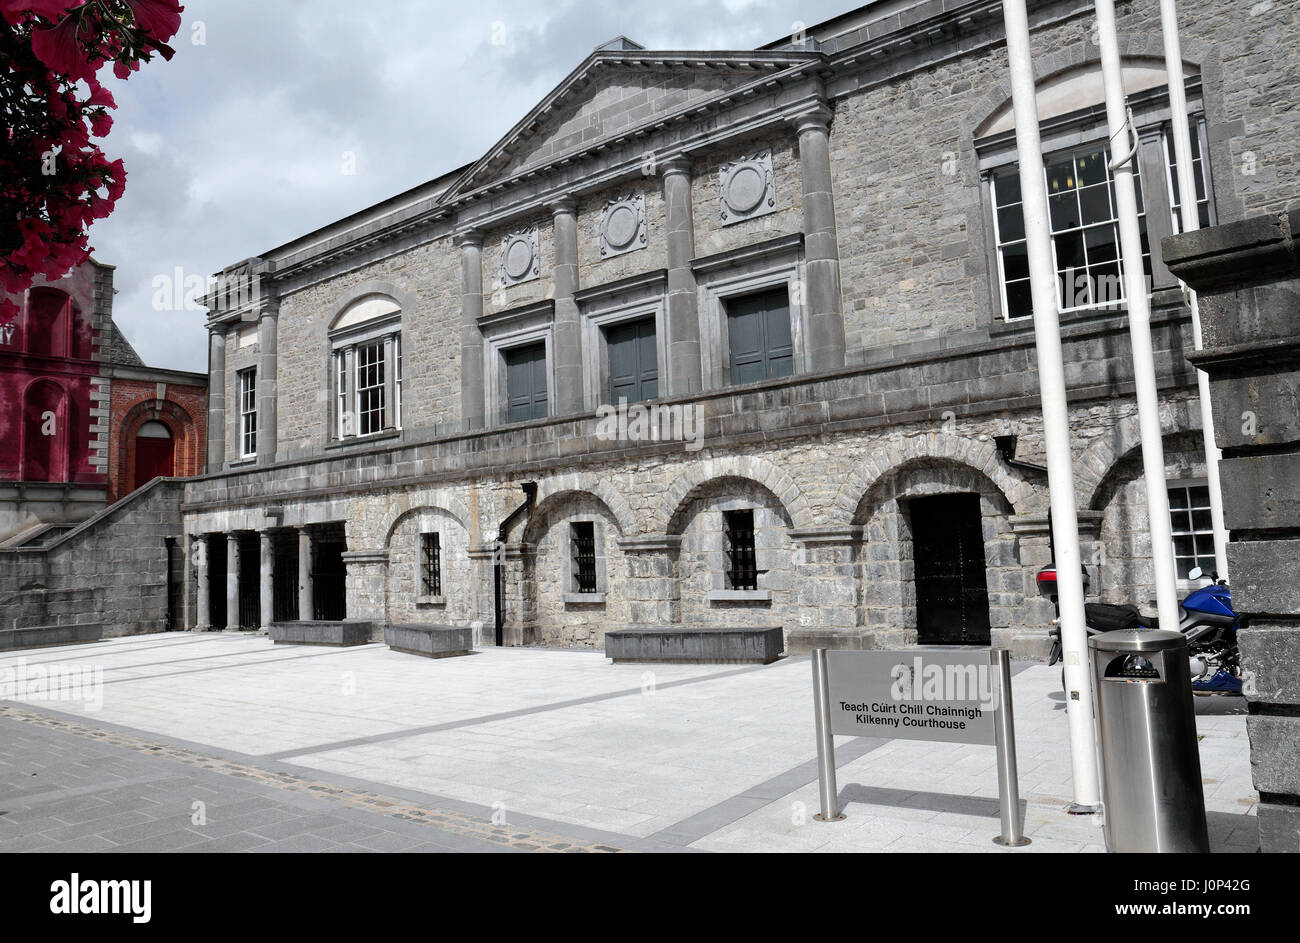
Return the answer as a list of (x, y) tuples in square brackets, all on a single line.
[(695, 644)]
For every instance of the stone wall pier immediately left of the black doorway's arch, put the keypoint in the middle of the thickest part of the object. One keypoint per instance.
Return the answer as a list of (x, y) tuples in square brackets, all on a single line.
[(827, 591)]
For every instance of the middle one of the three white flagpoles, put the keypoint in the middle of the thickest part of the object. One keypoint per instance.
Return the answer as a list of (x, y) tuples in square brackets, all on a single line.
[(1124, 148)]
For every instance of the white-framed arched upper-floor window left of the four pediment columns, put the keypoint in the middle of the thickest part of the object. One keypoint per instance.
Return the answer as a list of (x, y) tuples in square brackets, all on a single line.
[(366, 349)]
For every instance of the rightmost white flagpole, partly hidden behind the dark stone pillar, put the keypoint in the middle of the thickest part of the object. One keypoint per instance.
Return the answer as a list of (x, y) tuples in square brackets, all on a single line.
[(1191, 220)]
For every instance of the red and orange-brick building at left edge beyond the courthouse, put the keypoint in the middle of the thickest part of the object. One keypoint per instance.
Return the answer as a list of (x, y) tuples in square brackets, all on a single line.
[(84, 421)]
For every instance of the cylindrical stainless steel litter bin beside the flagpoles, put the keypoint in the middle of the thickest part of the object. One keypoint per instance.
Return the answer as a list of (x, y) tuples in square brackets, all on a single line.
[(1151, 764)]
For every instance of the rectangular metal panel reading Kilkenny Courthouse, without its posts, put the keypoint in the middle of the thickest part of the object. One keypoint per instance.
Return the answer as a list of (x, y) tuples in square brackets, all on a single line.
[(915, 695)]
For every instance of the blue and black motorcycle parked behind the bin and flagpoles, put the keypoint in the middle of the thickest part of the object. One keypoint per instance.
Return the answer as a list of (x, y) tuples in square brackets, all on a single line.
[(1206, 618)]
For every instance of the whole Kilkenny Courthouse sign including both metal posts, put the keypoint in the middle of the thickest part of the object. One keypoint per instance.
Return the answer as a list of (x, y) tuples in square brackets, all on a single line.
[(918, 695)]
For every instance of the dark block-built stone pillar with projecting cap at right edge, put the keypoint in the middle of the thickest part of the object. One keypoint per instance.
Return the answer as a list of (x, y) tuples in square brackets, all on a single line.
[(1249, 278)]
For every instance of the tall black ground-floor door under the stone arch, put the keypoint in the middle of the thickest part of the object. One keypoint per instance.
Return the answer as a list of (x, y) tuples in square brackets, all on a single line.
[(952, 590)]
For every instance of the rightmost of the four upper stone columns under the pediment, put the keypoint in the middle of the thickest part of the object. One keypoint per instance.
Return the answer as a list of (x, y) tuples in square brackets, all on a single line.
[(821, 243)]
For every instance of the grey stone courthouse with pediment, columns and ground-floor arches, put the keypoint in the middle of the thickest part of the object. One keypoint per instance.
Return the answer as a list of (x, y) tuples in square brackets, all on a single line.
[(816, 252)]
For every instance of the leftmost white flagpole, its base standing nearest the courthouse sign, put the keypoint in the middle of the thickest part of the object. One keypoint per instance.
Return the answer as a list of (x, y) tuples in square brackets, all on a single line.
[(1056, 423)]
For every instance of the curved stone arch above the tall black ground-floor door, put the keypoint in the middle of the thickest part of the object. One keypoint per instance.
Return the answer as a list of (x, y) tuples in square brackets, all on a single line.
[(980, 456)]
